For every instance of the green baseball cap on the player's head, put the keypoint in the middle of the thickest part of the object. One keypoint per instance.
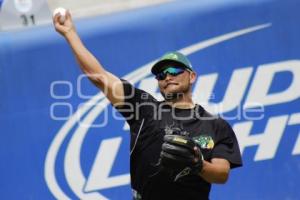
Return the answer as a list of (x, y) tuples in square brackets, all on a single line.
[(171, 58)]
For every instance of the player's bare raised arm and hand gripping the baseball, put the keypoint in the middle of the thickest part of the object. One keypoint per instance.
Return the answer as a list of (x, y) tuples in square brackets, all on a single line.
[(111, 85)]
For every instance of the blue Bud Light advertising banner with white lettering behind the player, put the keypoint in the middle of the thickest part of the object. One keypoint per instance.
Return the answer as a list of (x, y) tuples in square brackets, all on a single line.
[(61, 139)]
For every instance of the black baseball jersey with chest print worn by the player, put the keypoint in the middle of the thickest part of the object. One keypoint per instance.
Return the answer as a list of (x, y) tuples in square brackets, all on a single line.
[(149, 121)]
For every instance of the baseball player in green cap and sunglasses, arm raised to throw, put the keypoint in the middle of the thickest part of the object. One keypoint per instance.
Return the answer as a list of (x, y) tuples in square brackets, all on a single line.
[(177, 148)]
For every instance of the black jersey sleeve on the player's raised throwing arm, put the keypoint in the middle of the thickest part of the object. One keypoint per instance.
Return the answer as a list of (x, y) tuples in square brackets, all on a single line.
[(136, 102)]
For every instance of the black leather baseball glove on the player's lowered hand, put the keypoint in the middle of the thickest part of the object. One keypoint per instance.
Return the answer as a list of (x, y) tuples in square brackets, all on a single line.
[(181, 156)]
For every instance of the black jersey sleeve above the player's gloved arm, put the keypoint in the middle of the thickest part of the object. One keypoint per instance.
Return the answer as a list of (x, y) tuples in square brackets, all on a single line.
[(226, 145)]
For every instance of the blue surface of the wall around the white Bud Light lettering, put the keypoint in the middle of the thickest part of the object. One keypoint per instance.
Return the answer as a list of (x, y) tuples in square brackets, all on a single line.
[(32, 61)]
